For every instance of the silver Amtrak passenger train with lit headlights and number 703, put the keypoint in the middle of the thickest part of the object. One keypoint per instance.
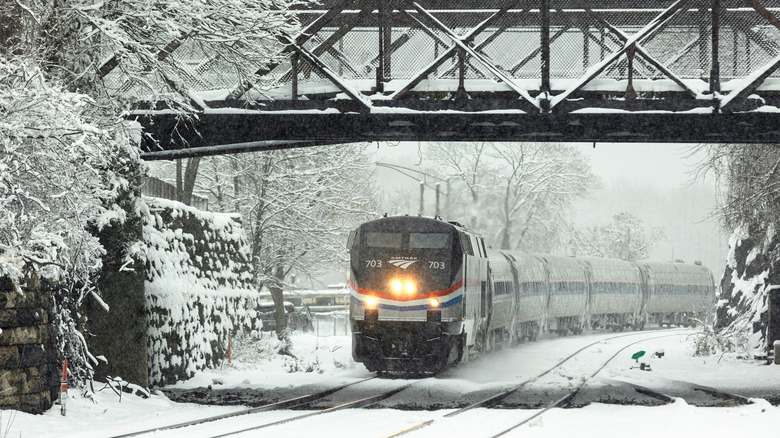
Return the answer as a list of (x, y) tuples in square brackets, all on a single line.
[(426, 294)]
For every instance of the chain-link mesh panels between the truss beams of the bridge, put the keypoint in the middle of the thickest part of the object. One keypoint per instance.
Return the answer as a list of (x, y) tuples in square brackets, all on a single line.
[(579, 38)]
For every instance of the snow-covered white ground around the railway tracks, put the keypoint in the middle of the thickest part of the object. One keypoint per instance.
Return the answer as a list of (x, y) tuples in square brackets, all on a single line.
[(327, 361)]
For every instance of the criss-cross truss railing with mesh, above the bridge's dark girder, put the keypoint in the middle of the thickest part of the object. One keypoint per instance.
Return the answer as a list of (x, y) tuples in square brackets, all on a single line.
[(383, 45)]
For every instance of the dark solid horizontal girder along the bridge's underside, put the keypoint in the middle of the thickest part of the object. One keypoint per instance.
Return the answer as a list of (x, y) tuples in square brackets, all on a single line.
[(298, 130)]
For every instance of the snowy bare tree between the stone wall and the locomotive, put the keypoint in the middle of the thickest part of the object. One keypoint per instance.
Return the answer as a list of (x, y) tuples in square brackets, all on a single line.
[(301, 205)]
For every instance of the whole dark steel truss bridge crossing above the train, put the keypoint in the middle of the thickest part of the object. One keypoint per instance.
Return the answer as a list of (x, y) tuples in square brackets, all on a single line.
[(694, 71)]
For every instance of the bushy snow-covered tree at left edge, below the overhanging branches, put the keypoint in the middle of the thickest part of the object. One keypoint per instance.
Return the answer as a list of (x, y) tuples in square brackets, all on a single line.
[(62, 177)]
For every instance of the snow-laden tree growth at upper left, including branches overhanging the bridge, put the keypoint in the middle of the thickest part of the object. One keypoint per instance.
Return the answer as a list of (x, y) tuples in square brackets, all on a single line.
[(68, 163)]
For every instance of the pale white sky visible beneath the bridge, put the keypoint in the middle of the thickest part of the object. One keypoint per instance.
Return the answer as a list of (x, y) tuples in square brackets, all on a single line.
[(652, 181)]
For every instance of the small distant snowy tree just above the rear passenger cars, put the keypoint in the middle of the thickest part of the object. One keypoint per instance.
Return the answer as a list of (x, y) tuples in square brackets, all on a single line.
[(623, 238)]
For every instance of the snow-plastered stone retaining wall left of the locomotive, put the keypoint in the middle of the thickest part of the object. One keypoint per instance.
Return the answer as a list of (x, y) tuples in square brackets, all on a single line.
[(198, 288)]
